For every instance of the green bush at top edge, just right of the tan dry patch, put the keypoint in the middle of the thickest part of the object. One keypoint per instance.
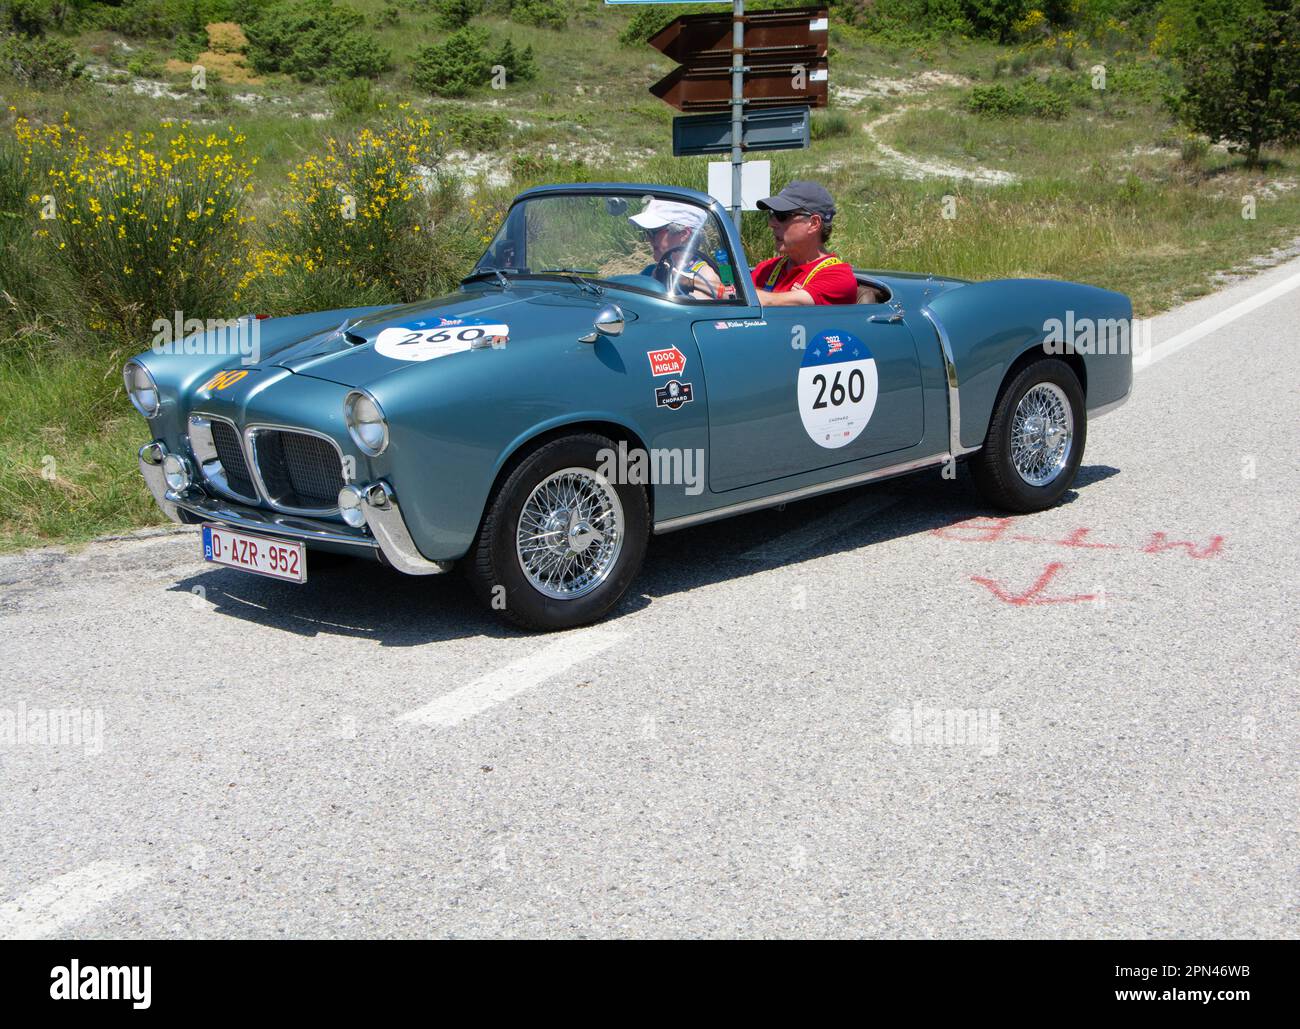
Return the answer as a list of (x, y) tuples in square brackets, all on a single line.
[(314, 40)]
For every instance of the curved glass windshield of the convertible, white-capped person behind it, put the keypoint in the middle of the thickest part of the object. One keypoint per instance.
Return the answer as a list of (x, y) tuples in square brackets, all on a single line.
[(651, 244)]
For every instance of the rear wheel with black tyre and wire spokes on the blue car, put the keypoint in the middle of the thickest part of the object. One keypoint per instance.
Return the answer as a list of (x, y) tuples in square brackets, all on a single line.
[(1035, 440)]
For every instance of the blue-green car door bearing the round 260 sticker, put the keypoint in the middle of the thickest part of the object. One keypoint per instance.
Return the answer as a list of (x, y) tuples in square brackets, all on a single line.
[(808, 388)]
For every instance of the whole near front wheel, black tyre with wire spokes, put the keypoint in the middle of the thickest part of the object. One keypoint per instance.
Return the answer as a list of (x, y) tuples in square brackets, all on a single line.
[(560, 545)]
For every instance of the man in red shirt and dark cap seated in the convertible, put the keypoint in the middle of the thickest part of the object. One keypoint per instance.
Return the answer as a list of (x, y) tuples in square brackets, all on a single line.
[(804, 271)]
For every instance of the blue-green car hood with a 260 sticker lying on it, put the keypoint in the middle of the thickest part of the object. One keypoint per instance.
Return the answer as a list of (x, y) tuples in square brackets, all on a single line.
[(354, 354)]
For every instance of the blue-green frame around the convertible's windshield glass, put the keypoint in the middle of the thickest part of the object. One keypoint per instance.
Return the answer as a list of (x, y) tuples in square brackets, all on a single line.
[(746, 293)]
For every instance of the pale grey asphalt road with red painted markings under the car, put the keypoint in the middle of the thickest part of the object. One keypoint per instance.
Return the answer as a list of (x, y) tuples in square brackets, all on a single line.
[(748, 749)]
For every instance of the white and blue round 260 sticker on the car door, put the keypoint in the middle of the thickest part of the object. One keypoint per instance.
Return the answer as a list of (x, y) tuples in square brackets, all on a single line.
[(838, 389)]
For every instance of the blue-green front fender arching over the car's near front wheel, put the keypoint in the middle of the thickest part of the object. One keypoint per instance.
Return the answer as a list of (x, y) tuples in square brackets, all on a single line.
[(454, 423)]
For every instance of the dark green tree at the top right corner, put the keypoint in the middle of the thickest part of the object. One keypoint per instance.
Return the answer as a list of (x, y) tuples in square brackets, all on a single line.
[(1245, 89)]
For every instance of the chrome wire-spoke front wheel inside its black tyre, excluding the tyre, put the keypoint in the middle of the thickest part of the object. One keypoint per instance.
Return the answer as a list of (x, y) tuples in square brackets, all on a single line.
[(570, 533)]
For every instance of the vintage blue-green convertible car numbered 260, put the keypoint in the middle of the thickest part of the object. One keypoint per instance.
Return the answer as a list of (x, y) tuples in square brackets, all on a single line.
[(578, 394)]
